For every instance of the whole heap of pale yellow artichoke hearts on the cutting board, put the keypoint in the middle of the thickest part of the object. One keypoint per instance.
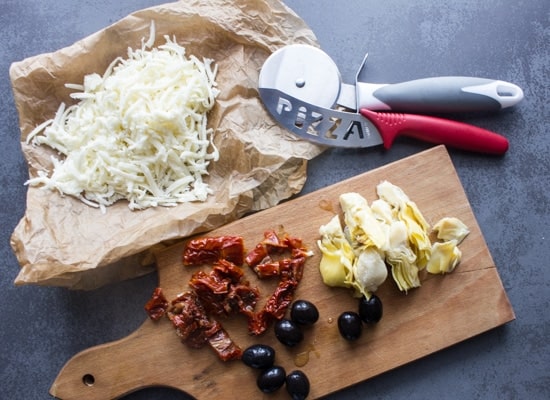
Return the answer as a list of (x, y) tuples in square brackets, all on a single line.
[(390, 232)]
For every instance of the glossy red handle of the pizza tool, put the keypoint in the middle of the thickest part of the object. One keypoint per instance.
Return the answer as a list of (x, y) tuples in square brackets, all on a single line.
[(436, 130)]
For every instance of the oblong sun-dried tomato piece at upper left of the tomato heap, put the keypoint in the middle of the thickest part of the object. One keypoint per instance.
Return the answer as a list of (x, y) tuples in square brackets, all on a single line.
[(207, 250)]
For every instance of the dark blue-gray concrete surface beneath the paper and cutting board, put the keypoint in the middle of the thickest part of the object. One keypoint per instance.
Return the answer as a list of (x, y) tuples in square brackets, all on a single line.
[(41, 328)]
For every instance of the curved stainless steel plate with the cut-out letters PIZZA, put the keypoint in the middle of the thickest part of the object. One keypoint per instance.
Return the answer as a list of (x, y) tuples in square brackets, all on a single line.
[(318, 124)]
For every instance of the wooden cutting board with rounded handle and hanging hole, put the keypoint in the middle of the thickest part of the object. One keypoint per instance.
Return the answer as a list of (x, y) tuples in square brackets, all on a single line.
[(444, 311)]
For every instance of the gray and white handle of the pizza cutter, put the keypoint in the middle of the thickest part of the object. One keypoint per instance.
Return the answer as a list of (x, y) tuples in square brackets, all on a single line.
[(440, 95)]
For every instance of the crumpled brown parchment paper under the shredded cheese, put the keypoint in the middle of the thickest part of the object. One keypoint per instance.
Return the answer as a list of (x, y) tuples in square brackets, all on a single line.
[(63, 242)]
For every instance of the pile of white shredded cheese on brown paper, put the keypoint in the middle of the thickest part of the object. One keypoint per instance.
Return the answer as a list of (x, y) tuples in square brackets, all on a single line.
[(139, 132)]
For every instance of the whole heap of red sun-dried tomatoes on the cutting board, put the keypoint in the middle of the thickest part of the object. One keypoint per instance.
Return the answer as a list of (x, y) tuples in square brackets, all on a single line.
[(223, 291)]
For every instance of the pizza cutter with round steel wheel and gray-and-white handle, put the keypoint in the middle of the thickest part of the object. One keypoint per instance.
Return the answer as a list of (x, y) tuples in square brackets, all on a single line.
[(307, 73)]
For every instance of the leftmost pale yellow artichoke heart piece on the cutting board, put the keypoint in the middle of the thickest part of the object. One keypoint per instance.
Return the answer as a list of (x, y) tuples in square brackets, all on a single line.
[(337, 255)]
